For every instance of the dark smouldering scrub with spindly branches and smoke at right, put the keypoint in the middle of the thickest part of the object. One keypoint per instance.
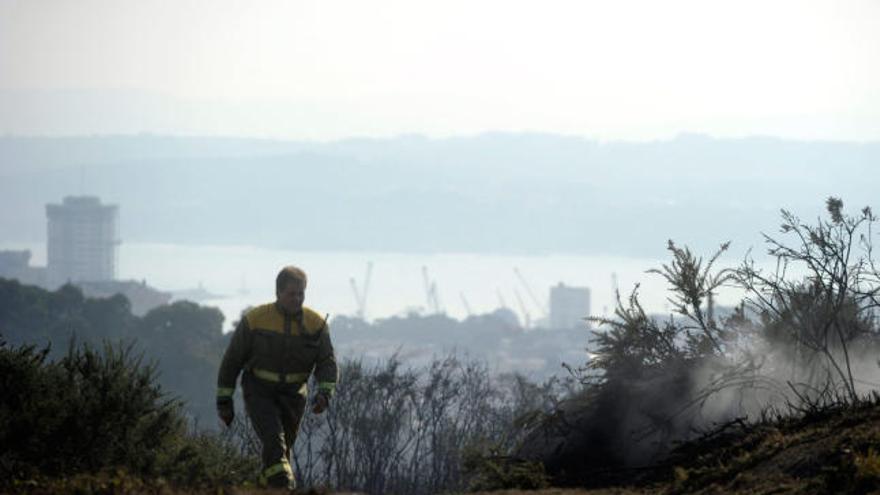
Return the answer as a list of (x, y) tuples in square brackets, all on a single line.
[(663, 394)]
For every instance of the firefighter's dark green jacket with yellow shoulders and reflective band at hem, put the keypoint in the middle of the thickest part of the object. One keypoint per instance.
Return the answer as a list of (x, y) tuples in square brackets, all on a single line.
[(279, 347)]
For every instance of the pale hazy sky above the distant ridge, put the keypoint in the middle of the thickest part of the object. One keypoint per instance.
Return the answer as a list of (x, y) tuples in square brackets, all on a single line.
[(328, 69)]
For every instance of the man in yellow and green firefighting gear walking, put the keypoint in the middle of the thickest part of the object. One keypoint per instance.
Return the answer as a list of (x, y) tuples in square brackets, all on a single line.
[(279, 346)]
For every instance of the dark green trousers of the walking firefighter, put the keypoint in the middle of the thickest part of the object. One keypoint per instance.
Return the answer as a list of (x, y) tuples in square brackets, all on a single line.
[(275, 411)]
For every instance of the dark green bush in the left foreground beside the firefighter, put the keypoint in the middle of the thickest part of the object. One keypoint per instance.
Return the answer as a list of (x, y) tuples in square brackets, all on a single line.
[(99, 410)]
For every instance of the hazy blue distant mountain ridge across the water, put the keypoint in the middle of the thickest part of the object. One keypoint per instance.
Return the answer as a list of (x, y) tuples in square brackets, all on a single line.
[(496, 192)]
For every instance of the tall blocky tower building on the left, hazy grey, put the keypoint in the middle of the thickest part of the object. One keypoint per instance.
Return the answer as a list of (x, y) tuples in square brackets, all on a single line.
[(81, 240)]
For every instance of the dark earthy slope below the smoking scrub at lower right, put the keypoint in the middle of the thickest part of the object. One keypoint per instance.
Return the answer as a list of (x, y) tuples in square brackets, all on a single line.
[(831, 450)]
